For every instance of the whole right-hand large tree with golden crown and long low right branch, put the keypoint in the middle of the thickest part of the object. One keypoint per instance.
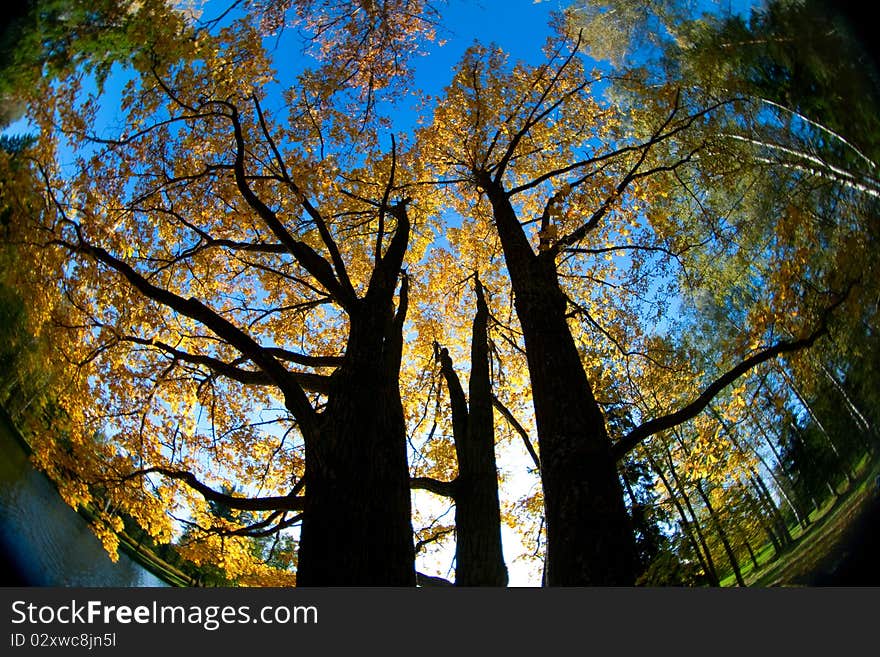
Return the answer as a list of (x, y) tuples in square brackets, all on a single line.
[(515, 138)]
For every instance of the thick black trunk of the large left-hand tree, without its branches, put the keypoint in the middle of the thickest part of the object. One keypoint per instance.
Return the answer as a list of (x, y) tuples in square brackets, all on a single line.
[(357, 527)]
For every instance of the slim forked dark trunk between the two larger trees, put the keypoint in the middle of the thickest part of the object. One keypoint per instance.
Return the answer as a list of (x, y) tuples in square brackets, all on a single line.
[(479, 560)]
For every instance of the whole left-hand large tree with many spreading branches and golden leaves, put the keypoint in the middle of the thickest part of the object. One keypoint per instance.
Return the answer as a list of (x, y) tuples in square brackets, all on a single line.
[(164, 336)]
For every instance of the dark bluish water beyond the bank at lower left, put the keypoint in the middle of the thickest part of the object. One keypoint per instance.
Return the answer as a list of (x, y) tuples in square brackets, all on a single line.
[(43, 542)]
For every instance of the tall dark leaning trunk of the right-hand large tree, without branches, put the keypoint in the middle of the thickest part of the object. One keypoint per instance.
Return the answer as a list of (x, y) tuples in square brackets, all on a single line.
[(590, 540)]
